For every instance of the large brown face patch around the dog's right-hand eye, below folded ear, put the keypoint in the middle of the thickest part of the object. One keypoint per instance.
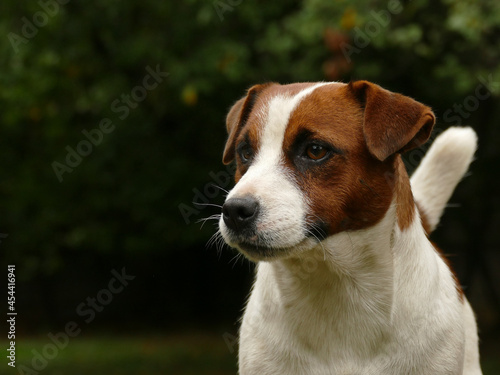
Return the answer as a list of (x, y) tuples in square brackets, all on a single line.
[(349, 191)]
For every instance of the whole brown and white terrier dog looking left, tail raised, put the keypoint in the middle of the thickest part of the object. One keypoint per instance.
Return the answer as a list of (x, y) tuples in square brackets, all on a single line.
[(347, 280)]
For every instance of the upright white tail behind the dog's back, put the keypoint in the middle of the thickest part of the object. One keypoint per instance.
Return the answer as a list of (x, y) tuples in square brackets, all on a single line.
[(440, 171)]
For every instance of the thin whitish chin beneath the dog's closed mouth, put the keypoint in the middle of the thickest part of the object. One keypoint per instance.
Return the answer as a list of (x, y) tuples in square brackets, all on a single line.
[(257, 253)]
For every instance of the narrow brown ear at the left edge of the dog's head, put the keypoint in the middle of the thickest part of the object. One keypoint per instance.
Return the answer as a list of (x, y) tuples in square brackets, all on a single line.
[(236, 119)]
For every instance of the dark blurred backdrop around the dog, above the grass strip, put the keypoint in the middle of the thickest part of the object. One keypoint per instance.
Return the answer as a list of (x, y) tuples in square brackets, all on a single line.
[(131, 202)]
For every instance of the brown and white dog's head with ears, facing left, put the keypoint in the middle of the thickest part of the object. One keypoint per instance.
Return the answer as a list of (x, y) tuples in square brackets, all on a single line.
[(314, 159)]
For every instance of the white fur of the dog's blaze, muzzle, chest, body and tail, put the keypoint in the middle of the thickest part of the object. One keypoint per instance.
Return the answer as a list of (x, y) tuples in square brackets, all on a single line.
[(373, 301)]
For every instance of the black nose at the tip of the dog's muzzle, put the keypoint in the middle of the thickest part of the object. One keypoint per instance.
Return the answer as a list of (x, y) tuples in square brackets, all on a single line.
[(240, 213)]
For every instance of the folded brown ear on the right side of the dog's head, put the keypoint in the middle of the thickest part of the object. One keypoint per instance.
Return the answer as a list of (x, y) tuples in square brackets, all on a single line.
[(393, 123)]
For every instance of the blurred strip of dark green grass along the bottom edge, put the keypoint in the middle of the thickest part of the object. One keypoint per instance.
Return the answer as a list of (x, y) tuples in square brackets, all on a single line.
[(187, 354)]
